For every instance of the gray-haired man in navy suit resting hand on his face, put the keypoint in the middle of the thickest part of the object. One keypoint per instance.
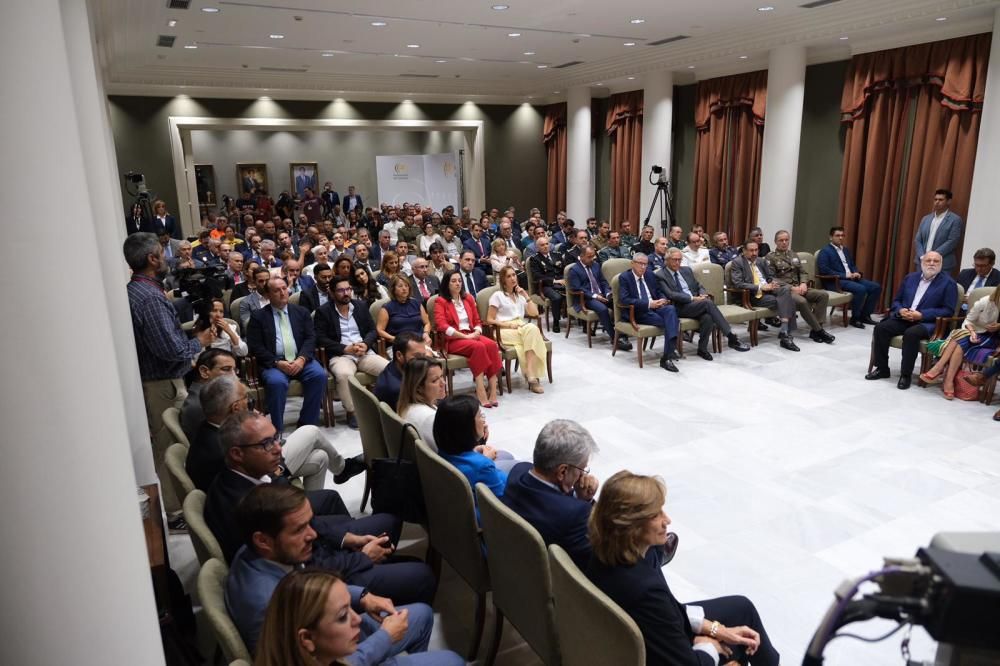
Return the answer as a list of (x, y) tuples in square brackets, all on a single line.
[(555, 492)]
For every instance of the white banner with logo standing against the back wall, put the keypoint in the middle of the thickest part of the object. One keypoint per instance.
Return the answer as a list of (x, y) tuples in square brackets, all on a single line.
[(431, 180)]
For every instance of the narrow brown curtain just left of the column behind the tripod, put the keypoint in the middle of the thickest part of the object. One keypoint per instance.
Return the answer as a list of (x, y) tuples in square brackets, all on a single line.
[(624, 126)]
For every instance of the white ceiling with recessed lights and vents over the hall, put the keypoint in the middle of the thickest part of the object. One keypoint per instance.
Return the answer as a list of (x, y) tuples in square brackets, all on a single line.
[(457, 50)]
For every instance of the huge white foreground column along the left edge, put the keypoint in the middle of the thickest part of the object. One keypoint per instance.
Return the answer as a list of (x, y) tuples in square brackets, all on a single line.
[(75, 575)]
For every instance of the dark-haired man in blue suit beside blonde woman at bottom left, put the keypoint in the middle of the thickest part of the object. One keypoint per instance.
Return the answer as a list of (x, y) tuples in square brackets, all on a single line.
[(276, 537)]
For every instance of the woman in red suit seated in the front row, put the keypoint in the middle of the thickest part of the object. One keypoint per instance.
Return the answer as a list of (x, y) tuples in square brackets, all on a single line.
[(456, 316)]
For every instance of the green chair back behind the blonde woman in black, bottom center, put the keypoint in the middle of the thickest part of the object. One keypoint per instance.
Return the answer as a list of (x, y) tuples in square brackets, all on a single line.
[(592, 628)]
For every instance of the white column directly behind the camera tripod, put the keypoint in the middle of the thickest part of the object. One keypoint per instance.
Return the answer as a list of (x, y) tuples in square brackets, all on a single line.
[(657, 121)]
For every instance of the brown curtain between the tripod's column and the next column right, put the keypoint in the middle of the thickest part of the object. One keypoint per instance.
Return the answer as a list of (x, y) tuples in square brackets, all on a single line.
[(729, 122)]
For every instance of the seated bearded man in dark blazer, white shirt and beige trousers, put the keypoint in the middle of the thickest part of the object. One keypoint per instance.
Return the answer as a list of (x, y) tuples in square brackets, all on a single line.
[(344, 328)]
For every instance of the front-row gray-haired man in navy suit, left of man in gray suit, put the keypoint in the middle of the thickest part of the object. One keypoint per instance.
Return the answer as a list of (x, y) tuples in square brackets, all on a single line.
[(638, 288)]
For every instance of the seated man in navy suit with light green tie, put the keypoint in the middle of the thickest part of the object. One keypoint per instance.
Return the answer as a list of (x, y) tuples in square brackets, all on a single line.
[(282, 339)]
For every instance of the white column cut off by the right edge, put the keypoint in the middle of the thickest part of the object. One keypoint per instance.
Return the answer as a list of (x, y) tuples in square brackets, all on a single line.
[(984, 201)]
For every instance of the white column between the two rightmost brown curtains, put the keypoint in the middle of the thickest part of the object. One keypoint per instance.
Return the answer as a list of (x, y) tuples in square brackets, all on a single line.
[(786, 80)]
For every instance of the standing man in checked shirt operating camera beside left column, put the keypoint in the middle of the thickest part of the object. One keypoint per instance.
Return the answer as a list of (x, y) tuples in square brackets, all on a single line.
[(165, 352)]
